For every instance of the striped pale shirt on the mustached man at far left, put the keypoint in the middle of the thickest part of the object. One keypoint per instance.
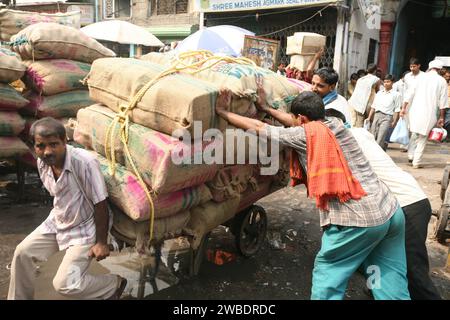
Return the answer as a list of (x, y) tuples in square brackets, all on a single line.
[(72, 216)]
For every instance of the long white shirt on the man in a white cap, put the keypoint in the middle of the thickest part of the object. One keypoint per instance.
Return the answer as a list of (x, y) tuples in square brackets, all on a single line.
[(430, 95)]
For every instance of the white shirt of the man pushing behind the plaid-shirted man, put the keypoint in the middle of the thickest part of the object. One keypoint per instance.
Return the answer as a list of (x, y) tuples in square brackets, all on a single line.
[(402, 184)]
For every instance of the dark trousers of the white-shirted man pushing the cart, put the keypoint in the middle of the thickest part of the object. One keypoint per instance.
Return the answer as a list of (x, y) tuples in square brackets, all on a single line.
[(420, 284)]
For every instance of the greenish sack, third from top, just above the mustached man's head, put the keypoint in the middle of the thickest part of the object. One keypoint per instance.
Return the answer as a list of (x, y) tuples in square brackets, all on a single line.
[(61, 105)]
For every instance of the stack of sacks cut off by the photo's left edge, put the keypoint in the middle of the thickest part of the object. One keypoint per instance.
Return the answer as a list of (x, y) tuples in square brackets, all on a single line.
[(11, 101)]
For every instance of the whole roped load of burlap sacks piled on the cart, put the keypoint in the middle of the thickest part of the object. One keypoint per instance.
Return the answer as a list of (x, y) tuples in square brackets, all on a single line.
[(193, 198)]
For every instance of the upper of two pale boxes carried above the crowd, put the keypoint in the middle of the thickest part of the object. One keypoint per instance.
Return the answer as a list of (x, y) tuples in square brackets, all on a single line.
[(305, 43)]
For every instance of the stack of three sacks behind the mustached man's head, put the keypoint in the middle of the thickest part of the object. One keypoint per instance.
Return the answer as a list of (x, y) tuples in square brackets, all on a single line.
[(57, 59)]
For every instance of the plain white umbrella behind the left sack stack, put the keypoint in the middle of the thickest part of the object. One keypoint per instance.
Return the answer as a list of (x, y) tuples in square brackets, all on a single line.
[(121, 32)]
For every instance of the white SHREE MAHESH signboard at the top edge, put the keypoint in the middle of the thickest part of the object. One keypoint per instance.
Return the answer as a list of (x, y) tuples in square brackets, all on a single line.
[(239, 5)]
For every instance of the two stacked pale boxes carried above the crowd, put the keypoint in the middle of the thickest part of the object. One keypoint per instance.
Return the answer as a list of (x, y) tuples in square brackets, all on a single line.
[(302, 46)]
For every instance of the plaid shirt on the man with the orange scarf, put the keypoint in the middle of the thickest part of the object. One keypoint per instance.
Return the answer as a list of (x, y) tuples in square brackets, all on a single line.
[(372, 210)]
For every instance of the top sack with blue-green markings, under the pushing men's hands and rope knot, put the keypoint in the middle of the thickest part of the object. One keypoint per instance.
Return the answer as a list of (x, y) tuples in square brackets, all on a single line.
[(240, 79)]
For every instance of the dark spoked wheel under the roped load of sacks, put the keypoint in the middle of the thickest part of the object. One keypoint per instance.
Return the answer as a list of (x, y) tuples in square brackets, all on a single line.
[(250, 228)]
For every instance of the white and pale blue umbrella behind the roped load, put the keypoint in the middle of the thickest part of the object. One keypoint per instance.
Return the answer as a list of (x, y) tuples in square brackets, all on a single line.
[(224, 39)]
